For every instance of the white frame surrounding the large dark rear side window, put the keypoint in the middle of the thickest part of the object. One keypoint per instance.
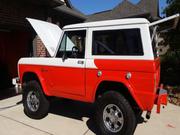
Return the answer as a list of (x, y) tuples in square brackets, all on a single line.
[(145, 36)]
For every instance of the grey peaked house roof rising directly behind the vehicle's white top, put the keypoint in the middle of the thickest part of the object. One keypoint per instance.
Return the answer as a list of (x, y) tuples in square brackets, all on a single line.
[(144, 9)]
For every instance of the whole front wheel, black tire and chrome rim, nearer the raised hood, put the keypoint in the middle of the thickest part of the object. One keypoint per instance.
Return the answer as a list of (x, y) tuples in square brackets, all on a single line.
[(35, 104)]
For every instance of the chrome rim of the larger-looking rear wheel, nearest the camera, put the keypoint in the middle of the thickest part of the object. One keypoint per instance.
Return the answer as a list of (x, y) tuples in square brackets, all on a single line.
[(113, 118)]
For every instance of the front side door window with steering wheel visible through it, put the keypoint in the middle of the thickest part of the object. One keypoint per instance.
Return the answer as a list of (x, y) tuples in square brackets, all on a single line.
[(72, 44)]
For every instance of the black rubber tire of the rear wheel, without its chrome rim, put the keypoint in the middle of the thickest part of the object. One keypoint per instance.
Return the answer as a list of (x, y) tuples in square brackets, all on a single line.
[(117, 99)]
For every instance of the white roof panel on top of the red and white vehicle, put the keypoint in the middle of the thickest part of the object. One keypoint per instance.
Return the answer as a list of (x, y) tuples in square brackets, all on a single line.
[(109, 23)]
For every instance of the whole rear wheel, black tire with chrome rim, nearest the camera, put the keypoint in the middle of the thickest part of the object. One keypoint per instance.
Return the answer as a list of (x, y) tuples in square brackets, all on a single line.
[(114, 115)]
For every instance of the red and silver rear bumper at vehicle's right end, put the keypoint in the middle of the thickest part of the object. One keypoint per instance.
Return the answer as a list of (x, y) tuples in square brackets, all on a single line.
[(161, 99)]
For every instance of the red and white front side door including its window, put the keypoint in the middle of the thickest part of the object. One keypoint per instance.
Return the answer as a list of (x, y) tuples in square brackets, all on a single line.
[(67, 73)]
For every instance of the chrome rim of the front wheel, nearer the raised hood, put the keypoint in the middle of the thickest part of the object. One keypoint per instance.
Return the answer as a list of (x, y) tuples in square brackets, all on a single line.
[(33, 101)]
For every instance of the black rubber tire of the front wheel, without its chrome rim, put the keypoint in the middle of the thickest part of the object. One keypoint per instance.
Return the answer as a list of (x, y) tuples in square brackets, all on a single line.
[(42, 111)]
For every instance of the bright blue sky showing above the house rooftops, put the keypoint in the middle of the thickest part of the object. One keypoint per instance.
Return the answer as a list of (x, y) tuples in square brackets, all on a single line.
[(93, 6)]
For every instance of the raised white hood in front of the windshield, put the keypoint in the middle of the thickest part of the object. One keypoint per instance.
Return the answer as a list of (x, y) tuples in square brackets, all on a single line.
[(49, 34)]
